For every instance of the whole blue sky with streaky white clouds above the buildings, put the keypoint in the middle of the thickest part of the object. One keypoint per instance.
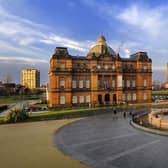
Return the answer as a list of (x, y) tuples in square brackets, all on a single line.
[(31, 29)]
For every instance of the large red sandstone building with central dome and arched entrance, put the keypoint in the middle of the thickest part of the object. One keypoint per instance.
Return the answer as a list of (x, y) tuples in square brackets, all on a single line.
[(100, 78)]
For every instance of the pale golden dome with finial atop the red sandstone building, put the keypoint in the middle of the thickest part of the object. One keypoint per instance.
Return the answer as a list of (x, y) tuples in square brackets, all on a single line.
[(101, 48)]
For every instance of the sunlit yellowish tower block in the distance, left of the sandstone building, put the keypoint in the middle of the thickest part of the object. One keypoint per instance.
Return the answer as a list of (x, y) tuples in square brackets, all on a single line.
[(31, 78)]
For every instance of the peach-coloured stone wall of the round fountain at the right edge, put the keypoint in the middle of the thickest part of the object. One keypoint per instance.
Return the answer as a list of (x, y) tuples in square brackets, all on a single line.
[(155, 118)]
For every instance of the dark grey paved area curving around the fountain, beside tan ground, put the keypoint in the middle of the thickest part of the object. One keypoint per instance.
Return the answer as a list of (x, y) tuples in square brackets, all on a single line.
[(108, 141)]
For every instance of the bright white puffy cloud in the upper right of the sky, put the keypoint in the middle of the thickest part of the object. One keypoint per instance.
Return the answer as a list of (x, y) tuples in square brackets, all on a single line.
[(149, 20)]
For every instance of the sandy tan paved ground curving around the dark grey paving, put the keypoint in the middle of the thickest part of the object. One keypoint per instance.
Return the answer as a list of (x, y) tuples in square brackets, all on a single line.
[(30, 145)]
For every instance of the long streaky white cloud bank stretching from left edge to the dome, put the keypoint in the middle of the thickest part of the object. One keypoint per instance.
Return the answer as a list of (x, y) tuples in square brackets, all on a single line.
[(20, 36)]
